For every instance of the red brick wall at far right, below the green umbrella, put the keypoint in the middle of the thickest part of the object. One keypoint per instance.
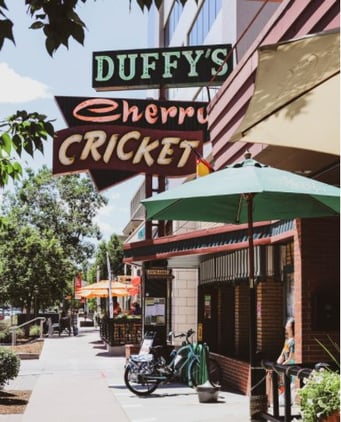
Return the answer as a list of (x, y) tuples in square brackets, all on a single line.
[(319, 270)]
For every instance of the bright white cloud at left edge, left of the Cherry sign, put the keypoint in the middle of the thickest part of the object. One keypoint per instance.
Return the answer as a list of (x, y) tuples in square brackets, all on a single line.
[(15, 88)]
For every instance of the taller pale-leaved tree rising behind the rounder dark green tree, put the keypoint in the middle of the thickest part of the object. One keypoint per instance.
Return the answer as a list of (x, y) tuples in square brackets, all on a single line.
[(66, 205)]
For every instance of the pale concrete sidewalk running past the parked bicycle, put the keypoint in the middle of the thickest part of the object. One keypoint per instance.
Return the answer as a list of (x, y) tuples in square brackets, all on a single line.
[(75, 379)]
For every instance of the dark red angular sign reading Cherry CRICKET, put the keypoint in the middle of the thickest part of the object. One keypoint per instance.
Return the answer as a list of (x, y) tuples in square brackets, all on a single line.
[(124, 137)]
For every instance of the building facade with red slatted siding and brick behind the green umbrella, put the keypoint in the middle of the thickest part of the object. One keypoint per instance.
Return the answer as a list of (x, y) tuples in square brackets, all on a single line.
[(296, 262)]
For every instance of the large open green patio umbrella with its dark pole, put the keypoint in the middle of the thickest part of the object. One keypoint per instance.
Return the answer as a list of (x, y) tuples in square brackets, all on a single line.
[(243, 193)]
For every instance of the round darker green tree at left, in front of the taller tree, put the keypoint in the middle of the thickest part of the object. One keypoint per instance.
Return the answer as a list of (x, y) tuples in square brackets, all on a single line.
[(34, 270)]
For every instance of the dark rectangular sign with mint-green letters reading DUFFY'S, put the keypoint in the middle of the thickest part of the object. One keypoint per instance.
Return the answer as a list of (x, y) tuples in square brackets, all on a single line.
[(168, 67)]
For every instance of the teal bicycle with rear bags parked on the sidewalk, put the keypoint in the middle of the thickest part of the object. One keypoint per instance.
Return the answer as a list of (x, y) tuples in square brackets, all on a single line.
[(144, 373)]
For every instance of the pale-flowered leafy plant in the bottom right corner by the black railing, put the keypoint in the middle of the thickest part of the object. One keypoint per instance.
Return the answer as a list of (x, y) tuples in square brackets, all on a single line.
[(320, 394)]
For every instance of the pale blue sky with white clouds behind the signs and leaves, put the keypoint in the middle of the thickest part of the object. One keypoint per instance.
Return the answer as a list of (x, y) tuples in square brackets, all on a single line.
[(30, 78)]
